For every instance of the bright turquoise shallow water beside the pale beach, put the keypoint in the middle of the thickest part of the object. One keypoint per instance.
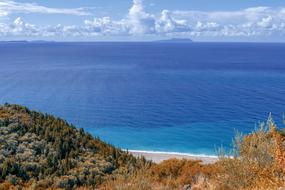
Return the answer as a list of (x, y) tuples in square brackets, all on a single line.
[(172, 139)]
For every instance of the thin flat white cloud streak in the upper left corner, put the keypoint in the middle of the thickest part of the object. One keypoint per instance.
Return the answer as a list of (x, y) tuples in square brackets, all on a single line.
[(11, 7)]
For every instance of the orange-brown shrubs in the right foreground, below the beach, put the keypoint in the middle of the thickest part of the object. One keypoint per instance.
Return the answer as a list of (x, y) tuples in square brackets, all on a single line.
[(257, 161)]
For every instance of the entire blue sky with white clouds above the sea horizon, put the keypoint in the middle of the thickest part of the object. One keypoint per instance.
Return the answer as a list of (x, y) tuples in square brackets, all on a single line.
[(143, 20)]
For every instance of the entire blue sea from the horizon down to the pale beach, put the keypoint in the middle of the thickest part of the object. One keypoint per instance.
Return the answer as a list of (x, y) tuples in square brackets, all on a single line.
[(149, 96)]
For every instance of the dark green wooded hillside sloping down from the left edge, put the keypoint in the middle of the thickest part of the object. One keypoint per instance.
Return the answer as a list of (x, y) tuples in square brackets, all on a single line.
[(43, 151)]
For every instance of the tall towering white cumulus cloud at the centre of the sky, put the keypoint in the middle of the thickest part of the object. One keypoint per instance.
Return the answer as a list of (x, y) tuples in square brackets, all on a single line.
[(139, 22)]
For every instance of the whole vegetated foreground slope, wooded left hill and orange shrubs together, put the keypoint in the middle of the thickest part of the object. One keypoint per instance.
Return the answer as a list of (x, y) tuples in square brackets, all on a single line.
[(39, 151)]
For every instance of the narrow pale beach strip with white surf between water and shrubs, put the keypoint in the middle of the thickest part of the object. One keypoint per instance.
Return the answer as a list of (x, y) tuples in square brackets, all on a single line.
[(158, 157)]
